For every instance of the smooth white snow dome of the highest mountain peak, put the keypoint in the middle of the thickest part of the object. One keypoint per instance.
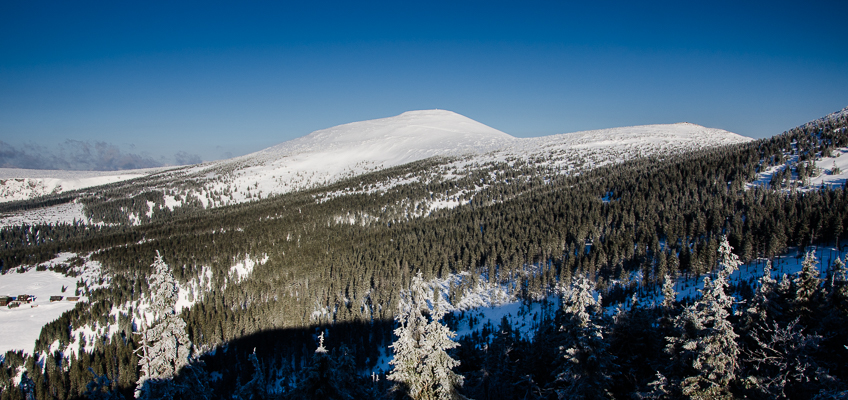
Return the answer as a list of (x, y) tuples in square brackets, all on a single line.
[(328, 155)]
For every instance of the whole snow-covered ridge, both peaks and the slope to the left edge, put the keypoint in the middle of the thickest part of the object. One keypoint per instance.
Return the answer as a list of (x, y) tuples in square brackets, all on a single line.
[(331, 155)]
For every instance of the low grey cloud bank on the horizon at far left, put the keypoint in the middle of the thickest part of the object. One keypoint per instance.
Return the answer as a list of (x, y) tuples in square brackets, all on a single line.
[(76, 155)]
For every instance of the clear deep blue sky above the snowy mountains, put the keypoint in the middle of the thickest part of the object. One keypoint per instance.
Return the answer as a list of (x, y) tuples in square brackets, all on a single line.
[(208, 80)]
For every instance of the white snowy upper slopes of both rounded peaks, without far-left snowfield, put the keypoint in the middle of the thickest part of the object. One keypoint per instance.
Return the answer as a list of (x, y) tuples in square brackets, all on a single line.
[(343, 151)]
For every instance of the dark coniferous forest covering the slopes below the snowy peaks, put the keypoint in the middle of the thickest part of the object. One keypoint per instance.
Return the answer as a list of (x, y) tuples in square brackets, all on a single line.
[(339, 280)]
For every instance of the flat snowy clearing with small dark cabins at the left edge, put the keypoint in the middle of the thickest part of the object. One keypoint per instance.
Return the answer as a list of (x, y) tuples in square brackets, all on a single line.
[(20, 327)]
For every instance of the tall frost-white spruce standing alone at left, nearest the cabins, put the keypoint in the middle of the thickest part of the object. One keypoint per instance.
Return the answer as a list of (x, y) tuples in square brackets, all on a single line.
[(165, 347)]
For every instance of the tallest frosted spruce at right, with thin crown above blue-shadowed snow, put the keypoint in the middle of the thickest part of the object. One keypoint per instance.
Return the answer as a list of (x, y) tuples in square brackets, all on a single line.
[(704, 347)]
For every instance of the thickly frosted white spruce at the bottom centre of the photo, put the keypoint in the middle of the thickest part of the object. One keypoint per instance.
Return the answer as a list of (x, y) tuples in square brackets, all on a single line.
[(422, 367)]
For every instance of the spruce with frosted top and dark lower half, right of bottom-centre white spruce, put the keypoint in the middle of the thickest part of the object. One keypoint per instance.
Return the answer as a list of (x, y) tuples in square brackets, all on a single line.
[(585, 368)]
